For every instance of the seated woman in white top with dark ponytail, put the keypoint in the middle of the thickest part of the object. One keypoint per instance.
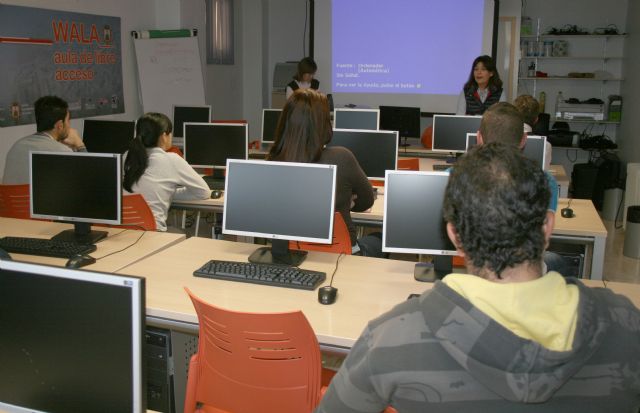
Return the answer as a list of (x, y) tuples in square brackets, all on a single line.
[(158, 175)]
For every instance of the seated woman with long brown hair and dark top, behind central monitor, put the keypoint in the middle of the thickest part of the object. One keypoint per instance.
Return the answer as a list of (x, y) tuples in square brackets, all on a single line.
[(303, 131)]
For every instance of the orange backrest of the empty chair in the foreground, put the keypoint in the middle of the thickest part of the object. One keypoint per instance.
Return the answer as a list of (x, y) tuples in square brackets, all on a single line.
[(249, 362)]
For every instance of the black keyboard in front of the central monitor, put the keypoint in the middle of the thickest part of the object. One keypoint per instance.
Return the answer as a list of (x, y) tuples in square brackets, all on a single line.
[(278, 275)]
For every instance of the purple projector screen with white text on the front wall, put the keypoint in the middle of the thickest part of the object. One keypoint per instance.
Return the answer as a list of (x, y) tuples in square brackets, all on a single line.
[(400, 52)]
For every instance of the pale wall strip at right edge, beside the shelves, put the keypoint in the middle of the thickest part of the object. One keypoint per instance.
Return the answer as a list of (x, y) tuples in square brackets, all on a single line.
[(629, 139)]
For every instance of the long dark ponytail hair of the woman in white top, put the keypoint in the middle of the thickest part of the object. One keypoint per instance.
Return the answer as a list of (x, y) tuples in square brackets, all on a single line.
[(149, 128)]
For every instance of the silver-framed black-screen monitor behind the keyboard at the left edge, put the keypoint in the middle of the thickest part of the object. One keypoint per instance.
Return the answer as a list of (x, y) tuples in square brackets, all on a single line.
[(83, 188)]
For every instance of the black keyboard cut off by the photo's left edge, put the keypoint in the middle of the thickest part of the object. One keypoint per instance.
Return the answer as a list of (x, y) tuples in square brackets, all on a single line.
[(45, 247)]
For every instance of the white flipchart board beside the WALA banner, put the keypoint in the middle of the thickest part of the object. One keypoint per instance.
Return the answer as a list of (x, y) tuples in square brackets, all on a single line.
[(169, 73)]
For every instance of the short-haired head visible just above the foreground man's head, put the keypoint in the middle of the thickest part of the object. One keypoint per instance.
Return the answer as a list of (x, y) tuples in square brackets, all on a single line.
[(503, 123)]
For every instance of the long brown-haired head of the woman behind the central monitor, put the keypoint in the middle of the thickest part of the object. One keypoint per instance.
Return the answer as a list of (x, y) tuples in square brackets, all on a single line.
[(304, 128)]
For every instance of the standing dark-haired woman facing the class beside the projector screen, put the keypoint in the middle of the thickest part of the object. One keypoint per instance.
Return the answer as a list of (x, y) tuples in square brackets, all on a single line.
[(483, 89)]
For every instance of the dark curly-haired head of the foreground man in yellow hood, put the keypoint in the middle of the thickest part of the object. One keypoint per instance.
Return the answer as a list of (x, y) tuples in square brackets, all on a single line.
[(495, 207)]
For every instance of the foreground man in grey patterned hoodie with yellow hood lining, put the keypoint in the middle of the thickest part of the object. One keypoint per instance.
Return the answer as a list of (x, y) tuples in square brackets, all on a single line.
[(504, 337)]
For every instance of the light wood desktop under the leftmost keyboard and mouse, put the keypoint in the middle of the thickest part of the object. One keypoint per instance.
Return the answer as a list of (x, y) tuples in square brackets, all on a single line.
[(150, 243)]
